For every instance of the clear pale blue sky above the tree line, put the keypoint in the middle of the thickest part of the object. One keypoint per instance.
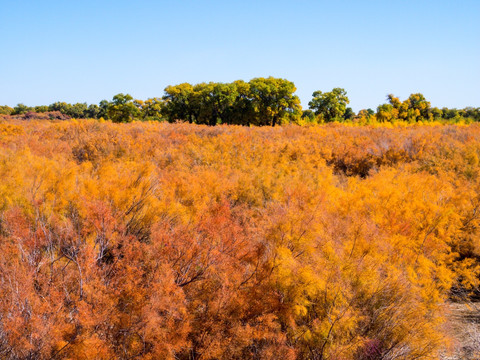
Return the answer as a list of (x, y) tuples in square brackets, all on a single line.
[(86, 51)]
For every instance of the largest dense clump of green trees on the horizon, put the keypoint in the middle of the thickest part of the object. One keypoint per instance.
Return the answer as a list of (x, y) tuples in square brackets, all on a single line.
[(262, 101)]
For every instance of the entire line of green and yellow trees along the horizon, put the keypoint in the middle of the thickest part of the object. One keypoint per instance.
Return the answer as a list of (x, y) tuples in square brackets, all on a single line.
[(261, 101)]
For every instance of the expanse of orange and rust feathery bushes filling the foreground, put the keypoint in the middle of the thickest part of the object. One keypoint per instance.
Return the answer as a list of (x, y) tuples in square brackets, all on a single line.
[(177, 241)]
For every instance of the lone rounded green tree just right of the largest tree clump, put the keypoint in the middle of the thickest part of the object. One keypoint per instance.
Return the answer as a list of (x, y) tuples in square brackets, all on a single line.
[(331, 105)]
